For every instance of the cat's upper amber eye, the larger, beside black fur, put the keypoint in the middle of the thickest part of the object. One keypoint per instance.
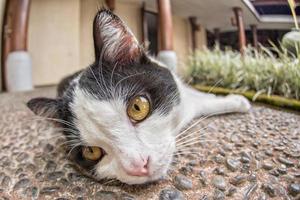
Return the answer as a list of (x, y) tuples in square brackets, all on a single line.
[(138, 108)]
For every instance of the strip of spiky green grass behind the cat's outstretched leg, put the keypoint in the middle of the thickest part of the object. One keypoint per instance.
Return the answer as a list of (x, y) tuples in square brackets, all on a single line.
[(258, 71)]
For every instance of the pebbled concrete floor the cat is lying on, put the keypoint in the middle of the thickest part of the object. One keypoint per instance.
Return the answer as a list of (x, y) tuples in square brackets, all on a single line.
[(239, 156)]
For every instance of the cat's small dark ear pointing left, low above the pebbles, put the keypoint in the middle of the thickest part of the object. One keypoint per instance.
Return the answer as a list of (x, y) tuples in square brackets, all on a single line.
[(44, 107)]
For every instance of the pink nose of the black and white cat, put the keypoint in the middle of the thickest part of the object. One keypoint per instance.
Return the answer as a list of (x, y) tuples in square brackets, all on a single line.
[(138, 168)]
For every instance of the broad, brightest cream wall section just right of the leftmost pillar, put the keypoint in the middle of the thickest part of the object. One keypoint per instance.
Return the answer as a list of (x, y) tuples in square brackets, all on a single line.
[(54, 39)]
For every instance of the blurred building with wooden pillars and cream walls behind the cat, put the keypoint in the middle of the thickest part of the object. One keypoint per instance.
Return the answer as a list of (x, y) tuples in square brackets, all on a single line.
[(54, 37)]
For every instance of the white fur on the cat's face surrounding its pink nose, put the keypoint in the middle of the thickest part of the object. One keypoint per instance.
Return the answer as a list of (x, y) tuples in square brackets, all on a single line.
[(106, 124)]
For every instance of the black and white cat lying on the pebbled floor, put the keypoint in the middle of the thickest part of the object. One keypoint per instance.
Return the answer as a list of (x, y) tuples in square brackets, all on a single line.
[(121, 114)]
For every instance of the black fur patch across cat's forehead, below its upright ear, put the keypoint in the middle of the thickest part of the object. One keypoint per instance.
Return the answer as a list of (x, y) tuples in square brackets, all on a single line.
[(148, 79)]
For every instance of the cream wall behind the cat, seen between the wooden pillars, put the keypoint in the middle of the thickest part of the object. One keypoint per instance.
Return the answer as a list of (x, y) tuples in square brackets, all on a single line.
[(61, 40)]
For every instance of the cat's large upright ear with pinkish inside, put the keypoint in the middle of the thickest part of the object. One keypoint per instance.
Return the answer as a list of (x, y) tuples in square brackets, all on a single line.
[(113, 41)]
